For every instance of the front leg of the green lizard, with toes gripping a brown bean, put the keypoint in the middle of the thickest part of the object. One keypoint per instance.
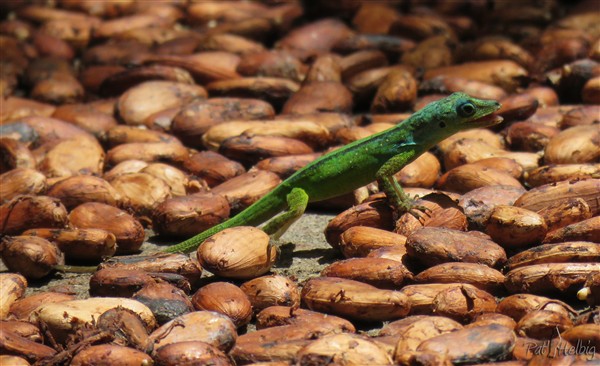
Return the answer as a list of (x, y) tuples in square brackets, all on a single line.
[(389, 185)]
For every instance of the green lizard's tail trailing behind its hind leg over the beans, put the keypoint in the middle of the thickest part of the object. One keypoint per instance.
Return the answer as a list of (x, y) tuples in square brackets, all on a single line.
[(257, 213)]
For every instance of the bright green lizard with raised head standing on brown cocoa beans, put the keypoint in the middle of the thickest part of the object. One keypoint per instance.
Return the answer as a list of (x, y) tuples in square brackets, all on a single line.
[(377, 156)]
